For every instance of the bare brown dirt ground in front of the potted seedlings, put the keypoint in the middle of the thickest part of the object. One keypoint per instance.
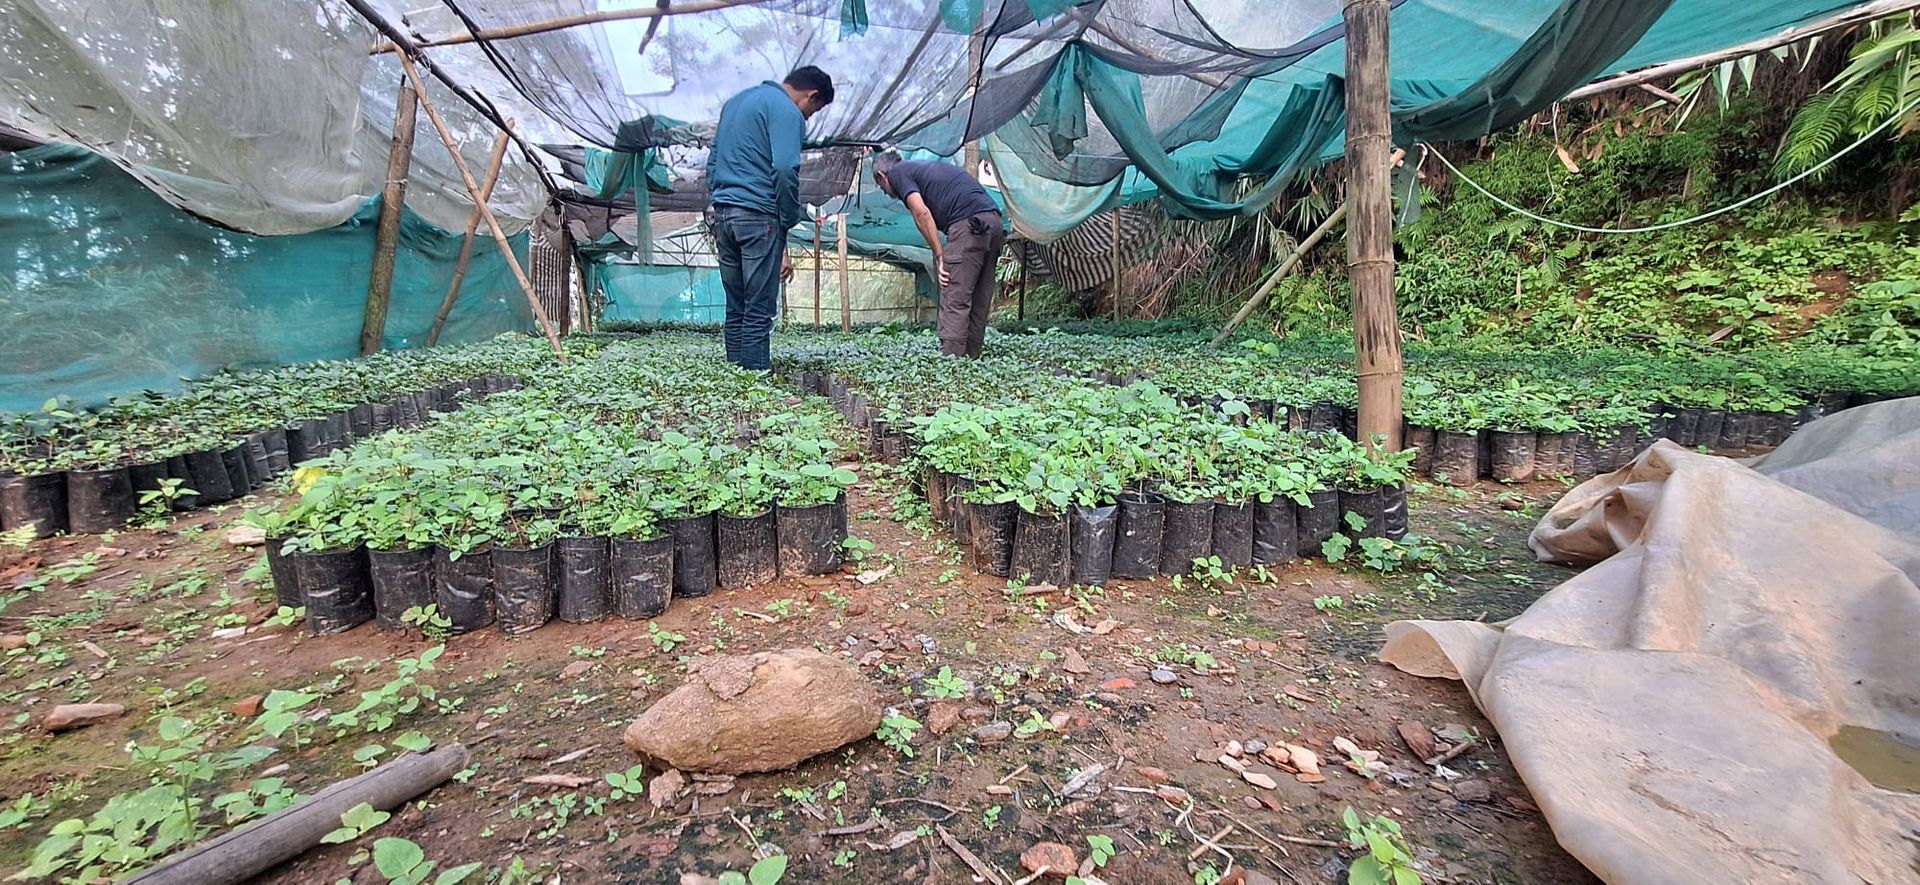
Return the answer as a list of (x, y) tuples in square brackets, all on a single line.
[(174, 623)]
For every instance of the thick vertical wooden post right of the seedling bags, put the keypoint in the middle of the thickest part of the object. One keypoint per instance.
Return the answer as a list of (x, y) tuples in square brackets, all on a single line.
[(1370, 231)]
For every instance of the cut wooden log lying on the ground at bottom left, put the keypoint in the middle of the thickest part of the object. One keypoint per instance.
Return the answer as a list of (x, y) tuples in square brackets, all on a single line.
[(283, 836)]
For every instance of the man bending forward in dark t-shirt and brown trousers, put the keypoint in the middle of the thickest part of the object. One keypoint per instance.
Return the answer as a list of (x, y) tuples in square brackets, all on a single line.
[(942, 197)]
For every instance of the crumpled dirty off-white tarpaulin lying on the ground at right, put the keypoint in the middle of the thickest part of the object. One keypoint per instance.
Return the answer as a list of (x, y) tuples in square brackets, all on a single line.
[(1671, 707)]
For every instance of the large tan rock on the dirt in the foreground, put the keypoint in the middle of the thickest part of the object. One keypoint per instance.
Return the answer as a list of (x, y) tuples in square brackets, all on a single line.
[(757, 713)]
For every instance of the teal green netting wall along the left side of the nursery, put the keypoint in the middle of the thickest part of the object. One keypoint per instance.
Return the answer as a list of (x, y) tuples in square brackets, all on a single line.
[(108, 291)]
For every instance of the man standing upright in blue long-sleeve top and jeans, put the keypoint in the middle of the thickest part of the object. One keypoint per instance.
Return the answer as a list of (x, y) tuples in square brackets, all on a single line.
[(754, 174)]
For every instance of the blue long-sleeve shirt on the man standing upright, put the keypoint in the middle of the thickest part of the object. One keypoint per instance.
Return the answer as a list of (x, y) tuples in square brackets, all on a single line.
[(756, 162)]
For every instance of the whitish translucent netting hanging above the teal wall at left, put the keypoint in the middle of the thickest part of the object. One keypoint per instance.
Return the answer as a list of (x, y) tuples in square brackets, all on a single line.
[(264, 116)]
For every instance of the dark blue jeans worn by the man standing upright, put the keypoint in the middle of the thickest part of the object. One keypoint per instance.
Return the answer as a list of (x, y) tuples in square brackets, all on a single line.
[(752, 254)]
